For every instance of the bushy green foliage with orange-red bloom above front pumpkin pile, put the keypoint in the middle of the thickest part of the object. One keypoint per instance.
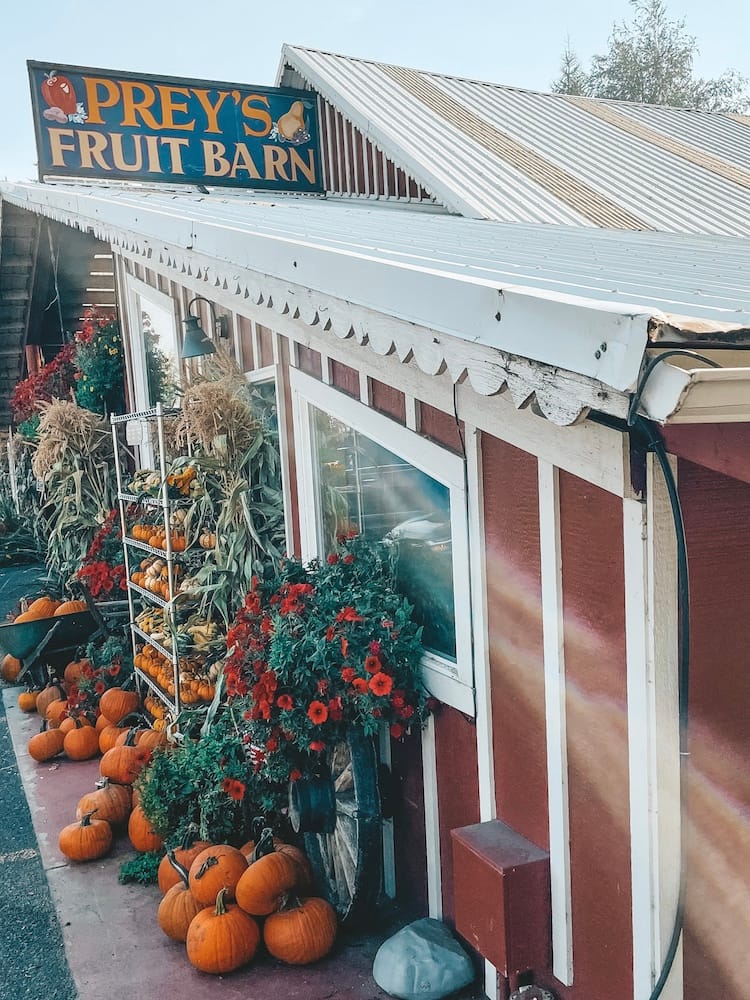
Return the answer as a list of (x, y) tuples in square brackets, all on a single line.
[(205, 782)]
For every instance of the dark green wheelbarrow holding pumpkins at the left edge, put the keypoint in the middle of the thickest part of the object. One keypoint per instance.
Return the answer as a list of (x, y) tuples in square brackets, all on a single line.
[(47, 640)]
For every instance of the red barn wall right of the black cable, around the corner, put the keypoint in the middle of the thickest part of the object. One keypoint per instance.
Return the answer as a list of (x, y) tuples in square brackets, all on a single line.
[(717, 521)]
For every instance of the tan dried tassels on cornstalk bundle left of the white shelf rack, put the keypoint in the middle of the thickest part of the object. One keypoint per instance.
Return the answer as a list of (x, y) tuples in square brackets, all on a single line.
[(66, 431)]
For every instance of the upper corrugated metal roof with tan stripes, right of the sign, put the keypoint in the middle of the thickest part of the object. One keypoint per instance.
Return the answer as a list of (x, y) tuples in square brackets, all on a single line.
[(513, 155)]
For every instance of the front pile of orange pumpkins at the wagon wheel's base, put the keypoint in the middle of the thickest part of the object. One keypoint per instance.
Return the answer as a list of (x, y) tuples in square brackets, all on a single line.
[(221, 901)]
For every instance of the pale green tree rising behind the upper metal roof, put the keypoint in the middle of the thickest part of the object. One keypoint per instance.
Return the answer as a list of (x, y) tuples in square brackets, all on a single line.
[(650, 60)]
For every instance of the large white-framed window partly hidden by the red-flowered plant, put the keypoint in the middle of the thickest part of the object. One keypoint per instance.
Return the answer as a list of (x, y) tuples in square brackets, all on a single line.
[(360, 471)]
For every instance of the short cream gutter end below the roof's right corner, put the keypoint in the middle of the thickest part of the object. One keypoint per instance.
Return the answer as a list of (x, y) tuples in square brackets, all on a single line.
[(676, 395)]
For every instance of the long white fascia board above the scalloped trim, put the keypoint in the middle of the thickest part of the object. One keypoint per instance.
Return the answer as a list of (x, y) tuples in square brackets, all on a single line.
[(600, 340)]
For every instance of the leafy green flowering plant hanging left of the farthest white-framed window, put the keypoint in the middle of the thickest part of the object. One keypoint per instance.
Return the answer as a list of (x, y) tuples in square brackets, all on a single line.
[(99, 381)]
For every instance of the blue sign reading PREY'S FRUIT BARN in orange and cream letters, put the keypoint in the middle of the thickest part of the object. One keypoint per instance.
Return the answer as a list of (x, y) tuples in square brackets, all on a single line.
[(100, 124)]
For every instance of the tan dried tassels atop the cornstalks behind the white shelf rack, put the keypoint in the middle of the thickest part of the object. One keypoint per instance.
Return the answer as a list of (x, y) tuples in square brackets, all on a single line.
[(217, 411)]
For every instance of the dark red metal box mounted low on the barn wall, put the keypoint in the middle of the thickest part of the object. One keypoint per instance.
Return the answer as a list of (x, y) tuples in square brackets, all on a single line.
[(501, 883)]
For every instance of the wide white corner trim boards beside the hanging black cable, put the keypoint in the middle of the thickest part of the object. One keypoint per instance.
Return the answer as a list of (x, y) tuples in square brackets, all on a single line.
[(653, 732)]
